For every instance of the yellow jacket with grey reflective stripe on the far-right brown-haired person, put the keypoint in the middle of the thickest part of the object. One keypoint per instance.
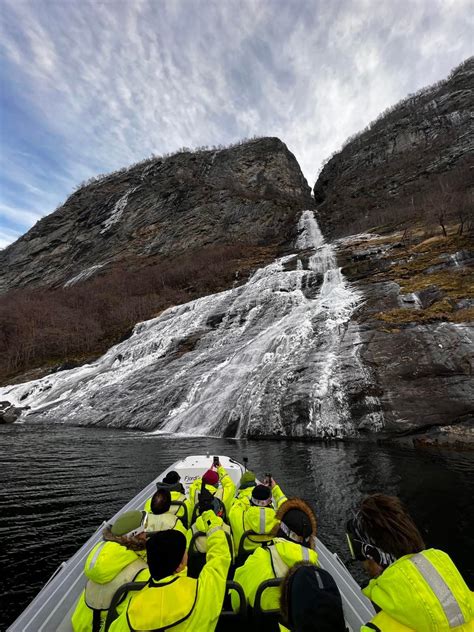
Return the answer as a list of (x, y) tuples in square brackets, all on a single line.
[(421, 592)]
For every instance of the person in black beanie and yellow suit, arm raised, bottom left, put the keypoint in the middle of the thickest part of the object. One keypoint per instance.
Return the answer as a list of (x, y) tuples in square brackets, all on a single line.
[(172, 600)]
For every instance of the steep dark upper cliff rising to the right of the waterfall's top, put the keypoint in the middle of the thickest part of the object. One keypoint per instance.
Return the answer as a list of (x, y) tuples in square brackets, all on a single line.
[(400, 157)]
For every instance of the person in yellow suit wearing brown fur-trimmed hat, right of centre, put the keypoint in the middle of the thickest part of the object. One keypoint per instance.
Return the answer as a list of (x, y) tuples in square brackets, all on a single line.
[(294, 541)]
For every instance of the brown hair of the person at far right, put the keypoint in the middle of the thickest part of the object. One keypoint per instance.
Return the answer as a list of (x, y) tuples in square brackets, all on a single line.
[(389, 525)]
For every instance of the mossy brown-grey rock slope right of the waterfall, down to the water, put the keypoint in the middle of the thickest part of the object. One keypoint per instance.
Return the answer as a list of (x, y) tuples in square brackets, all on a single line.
[(417, 344)]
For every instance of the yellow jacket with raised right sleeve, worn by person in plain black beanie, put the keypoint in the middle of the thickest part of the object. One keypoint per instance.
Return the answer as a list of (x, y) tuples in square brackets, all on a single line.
[(186, 604)]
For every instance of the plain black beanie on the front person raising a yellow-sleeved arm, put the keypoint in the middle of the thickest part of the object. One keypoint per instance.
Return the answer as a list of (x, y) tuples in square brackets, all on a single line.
[(165, 551)]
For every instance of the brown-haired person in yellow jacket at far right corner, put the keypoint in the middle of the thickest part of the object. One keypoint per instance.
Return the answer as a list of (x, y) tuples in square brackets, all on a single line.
[(414, 589)]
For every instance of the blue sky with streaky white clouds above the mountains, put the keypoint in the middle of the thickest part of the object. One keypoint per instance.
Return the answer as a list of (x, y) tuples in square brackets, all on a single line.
[(89, 87)]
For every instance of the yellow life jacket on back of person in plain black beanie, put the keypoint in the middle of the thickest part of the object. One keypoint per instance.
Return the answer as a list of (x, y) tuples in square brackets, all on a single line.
[(163, 606)]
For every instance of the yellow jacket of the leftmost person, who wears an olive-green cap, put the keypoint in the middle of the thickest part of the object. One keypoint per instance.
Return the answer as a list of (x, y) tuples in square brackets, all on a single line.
[(107, 567)]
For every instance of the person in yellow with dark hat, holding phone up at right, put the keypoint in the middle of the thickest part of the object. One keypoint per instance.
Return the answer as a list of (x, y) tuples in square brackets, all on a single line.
[(258, 516)]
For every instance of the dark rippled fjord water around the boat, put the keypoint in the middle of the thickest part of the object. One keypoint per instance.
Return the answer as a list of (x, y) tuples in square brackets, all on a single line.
[(59, 483)]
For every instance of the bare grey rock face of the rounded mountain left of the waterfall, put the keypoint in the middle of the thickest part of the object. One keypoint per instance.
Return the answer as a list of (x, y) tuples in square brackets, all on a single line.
[(251, 193)]
